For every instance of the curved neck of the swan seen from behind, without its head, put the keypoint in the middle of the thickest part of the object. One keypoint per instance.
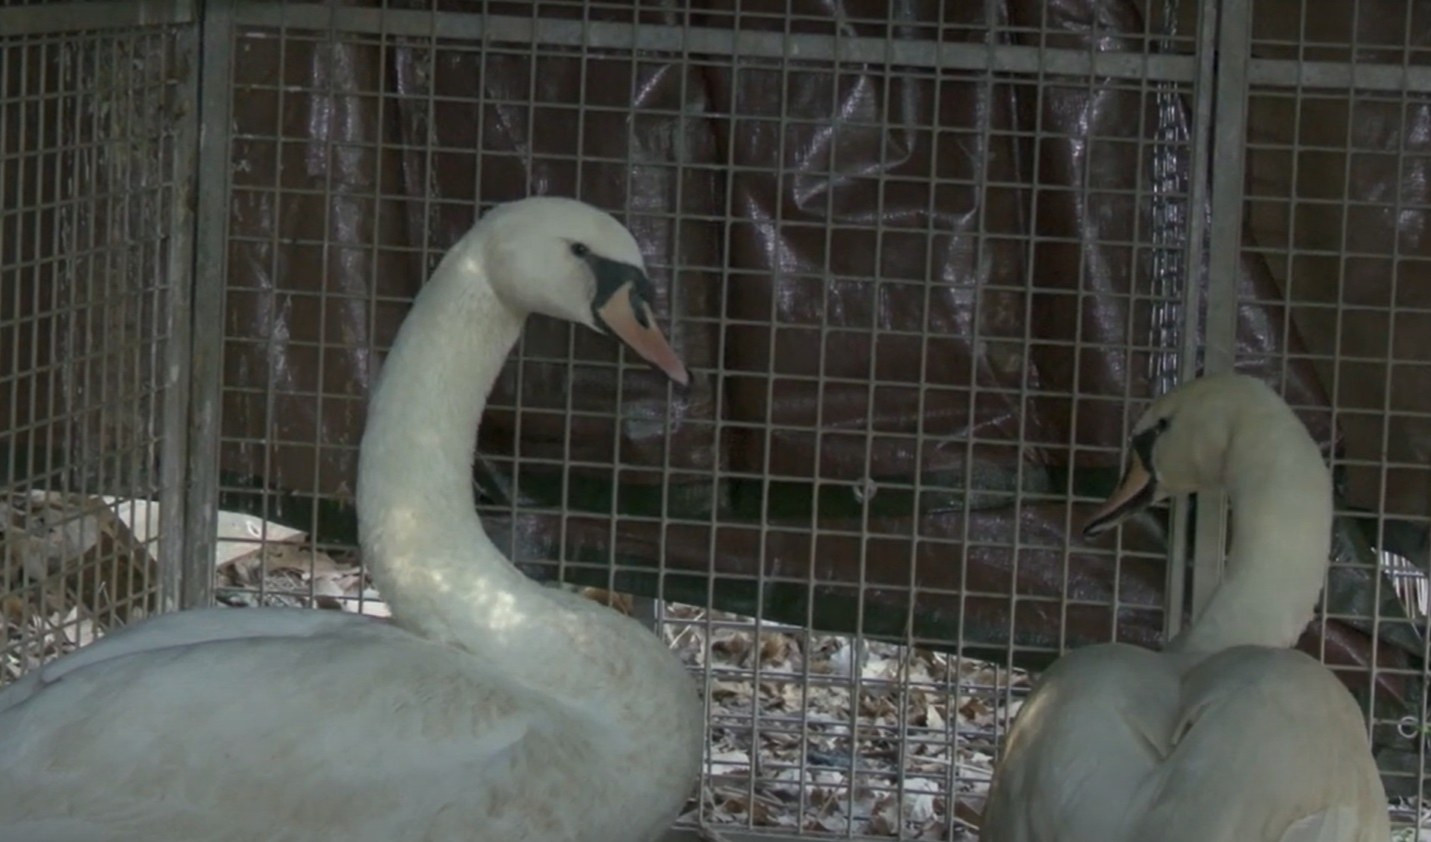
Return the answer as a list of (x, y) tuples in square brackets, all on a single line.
[(1281, 498)]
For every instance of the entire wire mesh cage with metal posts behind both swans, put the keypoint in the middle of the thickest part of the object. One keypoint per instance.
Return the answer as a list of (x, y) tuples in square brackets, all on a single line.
[(927, 263)]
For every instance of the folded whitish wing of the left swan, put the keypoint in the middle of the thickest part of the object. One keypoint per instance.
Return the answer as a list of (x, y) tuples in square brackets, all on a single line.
[(125, 738)]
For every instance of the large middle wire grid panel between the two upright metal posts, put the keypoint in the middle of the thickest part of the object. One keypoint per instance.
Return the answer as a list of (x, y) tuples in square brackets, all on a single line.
[(921, 297)]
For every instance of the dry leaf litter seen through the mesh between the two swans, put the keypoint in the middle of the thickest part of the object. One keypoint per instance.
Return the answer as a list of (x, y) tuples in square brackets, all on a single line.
[(822, 735)]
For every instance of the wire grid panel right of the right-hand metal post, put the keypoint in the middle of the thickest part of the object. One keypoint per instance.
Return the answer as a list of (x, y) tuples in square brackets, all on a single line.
[(1337, 210)]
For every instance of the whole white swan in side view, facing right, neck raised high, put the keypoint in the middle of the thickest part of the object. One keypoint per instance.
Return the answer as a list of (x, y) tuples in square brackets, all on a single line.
[(494, 710)]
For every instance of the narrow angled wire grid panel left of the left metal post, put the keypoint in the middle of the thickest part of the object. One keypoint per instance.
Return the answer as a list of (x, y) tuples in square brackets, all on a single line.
[(89, 158)]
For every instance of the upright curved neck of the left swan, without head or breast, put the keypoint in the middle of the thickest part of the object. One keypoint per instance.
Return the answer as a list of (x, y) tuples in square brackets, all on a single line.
[(420, 532)]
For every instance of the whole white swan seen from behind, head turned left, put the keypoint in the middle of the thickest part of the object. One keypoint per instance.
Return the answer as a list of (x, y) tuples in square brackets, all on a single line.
[(1227, 735)]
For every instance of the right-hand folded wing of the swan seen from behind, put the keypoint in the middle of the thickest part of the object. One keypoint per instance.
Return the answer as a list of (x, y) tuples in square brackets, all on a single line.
[(1270, 747)]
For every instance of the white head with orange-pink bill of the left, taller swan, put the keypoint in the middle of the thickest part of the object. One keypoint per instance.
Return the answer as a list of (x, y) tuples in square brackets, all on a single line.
[(567, 260)]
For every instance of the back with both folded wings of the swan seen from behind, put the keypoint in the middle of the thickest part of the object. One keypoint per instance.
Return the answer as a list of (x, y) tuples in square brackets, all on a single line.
[(1250, 745)]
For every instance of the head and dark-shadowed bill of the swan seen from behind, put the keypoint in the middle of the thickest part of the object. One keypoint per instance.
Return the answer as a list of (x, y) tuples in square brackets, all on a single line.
[(1184, 442)]
